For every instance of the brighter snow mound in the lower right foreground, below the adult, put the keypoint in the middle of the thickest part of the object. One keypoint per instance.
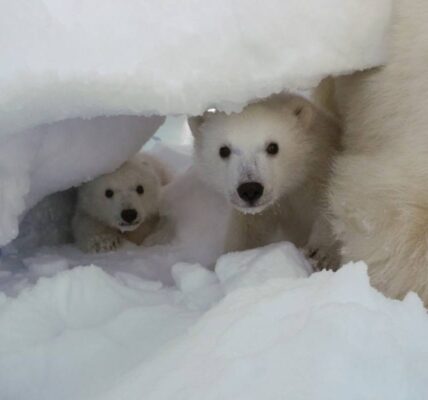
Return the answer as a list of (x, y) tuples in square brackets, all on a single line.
[(327, 337)]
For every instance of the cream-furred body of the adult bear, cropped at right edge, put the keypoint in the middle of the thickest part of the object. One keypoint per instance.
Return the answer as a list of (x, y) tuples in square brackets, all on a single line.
[(379, 192)]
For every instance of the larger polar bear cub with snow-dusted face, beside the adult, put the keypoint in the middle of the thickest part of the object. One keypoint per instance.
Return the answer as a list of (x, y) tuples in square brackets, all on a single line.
[(272, 162)]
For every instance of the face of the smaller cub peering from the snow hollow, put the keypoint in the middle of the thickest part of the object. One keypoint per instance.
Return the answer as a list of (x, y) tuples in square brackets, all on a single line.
[(122, 199)]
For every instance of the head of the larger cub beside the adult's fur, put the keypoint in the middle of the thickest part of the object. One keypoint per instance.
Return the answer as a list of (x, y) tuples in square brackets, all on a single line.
[(258, 155)]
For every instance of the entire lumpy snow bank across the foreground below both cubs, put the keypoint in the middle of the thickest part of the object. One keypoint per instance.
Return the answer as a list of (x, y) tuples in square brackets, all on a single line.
[(228, 334)]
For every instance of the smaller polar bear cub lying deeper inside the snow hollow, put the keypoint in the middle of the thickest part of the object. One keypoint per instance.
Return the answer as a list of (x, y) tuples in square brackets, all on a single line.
[(121, 205)]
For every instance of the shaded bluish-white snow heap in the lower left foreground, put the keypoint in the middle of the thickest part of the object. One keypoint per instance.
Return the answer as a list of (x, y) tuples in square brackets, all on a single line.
[(66, 337)]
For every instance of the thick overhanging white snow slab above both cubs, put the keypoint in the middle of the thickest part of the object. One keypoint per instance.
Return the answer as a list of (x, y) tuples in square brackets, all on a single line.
[(73, 59)]
